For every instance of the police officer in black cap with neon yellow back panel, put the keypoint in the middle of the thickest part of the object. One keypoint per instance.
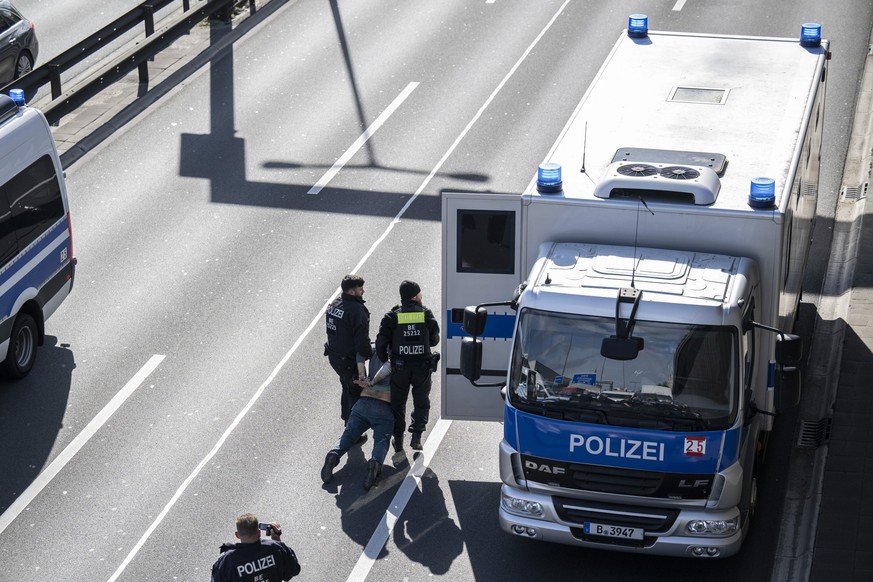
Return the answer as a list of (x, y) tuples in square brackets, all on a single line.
[(409, 330)]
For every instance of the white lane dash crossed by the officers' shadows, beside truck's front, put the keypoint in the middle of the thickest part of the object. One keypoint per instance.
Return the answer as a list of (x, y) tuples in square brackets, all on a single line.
[(398, 504)]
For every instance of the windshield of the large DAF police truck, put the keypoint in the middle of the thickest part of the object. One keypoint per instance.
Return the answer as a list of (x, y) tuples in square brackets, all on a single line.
[(683, 379)]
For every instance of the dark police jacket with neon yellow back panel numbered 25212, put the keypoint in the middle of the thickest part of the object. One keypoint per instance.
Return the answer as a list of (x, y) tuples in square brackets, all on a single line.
[(410, 330)]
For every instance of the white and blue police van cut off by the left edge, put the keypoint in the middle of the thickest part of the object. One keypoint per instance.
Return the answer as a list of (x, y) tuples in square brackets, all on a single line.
[(36, 241)]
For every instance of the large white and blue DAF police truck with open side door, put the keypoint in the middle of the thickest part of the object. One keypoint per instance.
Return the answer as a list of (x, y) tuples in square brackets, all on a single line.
[(627, 317)]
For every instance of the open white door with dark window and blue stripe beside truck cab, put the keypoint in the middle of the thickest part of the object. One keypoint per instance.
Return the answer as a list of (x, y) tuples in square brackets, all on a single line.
[(481, 263)]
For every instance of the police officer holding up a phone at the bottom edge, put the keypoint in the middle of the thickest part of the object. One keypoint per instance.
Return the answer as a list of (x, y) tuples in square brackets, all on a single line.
[(255, 559)]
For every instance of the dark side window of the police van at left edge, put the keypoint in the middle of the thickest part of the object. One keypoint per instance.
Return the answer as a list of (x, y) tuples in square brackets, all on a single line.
[(34, 197)]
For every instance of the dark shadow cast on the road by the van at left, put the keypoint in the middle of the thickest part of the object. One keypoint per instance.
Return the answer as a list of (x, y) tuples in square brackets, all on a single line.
[(31, 416)]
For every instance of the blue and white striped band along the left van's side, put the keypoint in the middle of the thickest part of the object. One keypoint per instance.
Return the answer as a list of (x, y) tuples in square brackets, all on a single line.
[(34, 267)]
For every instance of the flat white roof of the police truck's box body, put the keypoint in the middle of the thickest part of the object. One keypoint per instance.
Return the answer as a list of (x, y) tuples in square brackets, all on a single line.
[(746, 98)]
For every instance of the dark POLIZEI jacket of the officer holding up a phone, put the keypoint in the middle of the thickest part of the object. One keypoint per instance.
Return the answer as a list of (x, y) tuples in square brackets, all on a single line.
[(266, 560)]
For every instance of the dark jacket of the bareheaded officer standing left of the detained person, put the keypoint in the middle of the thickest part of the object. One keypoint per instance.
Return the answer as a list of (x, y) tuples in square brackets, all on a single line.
[(348, 327)]
